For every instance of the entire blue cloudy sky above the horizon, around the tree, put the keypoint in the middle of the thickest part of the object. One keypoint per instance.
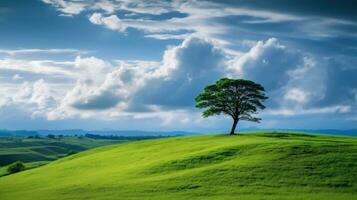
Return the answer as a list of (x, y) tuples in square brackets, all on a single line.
[(138, 65)]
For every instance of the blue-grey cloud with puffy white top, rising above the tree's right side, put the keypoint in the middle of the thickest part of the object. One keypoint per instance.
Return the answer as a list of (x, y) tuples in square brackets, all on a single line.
[(267, 62)]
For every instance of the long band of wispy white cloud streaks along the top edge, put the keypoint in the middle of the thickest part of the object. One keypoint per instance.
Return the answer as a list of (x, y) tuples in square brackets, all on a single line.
[(205, 18)]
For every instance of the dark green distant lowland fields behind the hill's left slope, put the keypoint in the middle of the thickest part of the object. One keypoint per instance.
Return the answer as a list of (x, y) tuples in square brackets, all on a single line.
[(37, 151)]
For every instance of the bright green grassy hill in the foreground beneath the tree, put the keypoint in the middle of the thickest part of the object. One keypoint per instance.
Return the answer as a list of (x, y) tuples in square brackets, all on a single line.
[(248, 166)]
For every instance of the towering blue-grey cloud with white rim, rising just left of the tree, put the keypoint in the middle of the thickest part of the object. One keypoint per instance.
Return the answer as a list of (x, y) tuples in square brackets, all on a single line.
[(188, 68)]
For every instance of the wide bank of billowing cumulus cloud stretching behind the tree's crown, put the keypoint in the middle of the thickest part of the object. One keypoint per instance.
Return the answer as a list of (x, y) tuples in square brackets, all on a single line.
[(297, 83)]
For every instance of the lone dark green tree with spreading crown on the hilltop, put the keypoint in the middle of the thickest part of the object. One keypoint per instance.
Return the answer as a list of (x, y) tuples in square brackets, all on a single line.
[(237, 98)]
